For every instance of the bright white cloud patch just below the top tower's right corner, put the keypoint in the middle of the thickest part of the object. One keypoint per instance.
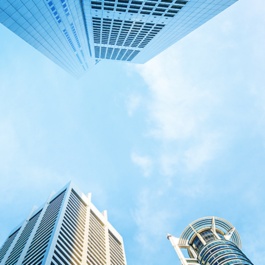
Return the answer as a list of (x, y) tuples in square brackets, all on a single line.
[(179, 114)]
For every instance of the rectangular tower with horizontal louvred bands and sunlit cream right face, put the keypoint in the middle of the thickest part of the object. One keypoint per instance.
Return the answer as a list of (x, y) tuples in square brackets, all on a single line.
[(67, 229)]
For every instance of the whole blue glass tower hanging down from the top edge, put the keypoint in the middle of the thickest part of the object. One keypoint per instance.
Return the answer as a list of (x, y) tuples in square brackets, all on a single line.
[(77, 34)]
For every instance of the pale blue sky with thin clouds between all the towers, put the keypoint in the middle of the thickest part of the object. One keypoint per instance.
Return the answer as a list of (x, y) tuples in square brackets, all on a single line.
[(159, 145)]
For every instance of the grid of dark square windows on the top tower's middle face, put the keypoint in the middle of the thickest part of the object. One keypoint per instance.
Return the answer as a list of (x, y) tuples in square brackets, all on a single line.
[(123, 39)]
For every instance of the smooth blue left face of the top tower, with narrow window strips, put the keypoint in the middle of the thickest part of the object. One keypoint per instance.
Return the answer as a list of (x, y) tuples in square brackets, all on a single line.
[(54, 27)]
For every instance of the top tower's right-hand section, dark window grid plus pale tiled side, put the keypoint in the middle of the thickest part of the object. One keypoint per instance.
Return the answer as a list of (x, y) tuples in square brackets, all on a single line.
[(136, 30)]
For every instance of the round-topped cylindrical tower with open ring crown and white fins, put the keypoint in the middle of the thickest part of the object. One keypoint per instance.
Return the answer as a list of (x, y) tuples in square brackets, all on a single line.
[(211, 241)]
